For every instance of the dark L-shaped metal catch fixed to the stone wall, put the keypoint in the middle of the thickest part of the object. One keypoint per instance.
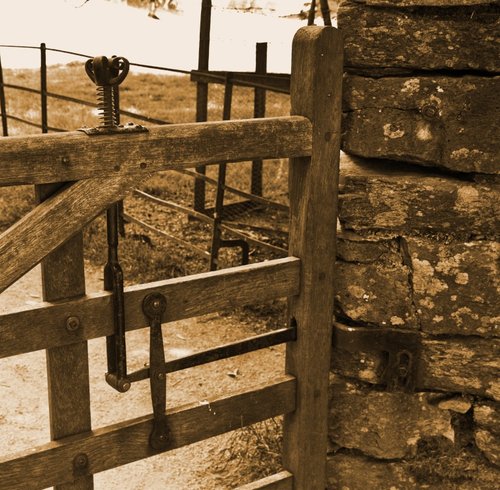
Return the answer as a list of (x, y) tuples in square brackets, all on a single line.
[(401, 348)]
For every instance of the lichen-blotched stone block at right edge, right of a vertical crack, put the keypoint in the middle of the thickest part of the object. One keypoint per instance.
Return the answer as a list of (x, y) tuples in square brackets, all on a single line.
[(456, 286)]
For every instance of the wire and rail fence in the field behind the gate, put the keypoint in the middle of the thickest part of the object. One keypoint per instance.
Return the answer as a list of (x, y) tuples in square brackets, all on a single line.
[(230, 213)]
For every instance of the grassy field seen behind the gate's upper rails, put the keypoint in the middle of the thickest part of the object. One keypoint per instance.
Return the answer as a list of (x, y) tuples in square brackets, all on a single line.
[(146, 256)]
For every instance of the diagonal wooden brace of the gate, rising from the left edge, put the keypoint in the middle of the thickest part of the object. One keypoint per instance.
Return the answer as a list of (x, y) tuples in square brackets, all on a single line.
[(55, 220)]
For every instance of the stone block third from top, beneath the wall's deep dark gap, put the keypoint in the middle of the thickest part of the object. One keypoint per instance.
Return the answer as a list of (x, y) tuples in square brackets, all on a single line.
[(378, 196)]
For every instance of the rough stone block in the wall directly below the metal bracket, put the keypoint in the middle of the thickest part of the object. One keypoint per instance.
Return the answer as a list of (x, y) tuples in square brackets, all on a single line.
[(381, 424)]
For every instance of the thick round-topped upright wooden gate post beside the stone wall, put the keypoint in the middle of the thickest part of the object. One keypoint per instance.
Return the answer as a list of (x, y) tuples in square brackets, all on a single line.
[(316, 84)]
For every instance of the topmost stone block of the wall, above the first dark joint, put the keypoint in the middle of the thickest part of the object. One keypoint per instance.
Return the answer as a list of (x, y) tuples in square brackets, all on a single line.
[(423, 38)]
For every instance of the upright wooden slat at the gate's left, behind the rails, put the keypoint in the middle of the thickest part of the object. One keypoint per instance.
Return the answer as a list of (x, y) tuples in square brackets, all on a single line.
[(67, 367)]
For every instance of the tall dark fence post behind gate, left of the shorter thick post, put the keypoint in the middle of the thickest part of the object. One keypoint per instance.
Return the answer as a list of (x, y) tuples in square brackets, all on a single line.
[(202, 94)]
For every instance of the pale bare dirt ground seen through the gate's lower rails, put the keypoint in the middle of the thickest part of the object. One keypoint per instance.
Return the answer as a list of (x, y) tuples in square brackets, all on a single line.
[(23, 391)]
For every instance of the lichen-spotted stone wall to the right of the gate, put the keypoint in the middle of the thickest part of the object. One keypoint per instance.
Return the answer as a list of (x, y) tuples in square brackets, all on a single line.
[(418, 247)]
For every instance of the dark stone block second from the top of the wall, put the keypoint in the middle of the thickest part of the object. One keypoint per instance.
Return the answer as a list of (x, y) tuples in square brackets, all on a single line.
[(447, 122)]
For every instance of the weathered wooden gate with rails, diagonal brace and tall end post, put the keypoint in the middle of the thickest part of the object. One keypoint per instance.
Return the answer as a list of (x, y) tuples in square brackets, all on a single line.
[(78, 176)]
